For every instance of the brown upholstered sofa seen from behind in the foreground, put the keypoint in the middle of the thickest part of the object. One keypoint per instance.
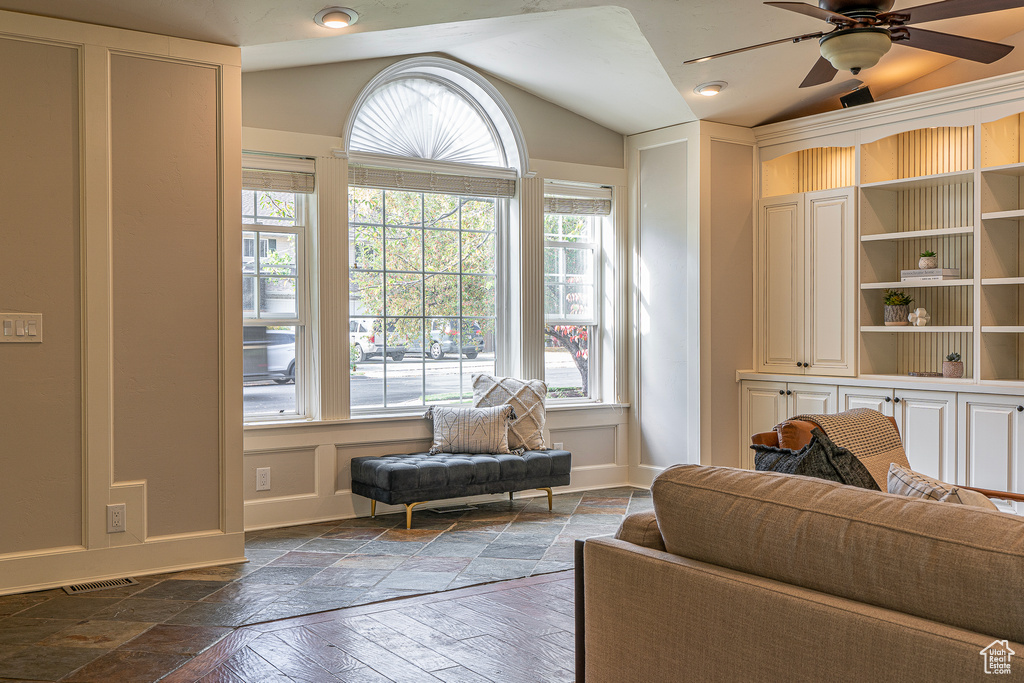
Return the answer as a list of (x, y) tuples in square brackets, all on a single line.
[(743, 576)]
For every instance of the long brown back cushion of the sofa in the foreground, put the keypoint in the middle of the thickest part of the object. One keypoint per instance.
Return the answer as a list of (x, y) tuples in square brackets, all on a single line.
[(951, 564)]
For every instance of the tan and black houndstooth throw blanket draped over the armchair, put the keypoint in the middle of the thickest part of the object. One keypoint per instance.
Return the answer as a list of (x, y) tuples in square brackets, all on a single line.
[(868, 435)]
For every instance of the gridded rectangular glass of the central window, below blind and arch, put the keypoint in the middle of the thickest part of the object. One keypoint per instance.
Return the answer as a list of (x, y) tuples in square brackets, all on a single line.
[(422, 310)]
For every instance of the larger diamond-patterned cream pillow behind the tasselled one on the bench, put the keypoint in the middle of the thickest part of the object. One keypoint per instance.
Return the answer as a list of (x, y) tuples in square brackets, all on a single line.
[(527, 397)]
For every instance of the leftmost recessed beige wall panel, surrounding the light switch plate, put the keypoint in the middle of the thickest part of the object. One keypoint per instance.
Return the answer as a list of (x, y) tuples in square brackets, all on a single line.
[(40, 385)]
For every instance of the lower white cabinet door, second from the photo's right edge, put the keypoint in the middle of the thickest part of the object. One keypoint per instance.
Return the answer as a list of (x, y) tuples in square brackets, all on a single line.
[(927, 423)]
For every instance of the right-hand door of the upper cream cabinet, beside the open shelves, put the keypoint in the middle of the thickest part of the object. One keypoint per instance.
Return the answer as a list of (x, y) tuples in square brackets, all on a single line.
[(831, 285)]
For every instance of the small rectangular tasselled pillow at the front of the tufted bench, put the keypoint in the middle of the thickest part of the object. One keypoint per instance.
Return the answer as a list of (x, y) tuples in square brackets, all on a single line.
[(471, 430)]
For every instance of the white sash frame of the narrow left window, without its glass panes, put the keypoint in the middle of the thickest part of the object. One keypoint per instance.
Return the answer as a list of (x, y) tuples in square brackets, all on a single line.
[(302, 321)]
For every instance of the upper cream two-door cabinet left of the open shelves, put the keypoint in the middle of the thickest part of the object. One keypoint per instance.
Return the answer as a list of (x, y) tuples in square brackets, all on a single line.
[(806, 284)]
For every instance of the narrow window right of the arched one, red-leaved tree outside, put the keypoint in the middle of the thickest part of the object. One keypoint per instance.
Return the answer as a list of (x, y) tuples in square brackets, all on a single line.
[(573, 228)]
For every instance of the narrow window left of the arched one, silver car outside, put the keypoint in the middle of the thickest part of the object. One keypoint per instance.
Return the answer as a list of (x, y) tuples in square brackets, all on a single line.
[(274, 303)]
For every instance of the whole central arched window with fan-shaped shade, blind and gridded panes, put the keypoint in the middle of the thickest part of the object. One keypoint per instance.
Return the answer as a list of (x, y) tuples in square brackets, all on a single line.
[(435, 154)]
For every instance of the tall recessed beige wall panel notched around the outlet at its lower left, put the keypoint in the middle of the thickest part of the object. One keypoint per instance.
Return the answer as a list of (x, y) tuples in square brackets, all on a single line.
[(166, 359)]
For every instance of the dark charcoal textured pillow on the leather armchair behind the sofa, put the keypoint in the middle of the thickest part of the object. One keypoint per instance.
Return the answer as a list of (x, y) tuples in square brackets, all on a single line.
[(821, 459)]
